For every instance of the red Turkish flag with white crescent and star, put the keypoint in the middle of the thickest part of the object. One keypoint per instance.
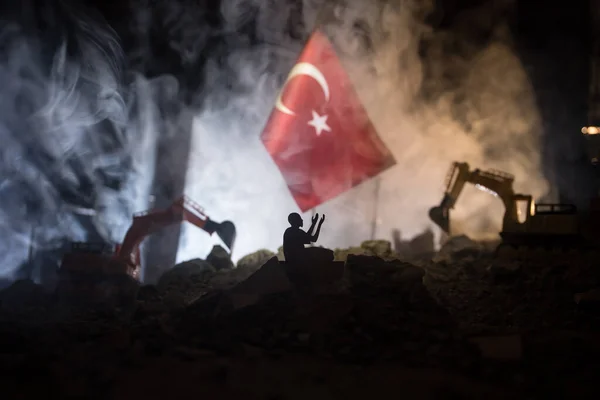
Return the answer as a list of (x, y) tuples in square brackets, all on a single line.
[(319, 134)]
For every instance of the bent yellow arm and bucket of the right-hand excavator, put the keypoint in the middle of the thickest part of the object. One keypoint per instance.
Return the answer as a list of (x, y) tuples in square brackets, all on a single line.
[(496, 182)]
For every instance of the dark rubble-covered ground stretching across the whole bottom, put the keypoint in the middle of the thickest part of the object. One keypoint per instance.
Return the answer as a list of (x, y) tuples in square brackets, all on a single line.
[(464, 322)]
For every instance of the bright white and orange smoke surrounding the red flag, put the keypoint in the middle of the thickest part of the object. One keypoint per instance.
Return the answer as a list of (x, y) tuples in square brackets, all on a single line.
[(457, 100)]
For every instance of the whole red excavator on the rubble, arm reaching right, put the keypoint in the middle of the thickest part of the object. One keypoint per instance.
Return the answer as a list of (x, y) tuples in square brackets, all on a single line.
[(100, 271)]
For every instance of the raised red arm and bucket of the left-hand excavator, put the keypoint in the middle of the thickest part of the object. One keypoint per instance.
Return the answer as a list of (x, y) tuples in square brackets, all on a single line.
[(184, 209)]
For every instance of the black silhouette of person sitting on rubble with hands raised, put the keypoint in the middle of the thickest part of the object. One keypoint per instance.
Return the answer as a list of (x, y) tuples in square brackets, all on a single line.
[(295, 238)]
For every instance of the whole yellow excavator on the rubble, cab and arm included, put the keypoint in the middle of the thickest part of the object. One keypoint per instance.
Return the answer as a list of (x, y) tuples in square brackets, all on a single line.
[(525, 223)]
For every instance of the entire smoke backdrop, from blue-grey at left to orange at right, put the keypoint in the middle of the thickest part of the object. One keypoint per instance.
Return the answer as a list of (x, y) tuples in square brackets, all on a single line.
[(80, 127)]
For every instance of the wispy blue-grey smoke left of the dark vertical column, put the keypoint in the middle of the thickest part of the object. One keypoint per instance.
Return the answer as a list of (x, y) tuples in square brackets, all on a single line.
[(74, 161)]
